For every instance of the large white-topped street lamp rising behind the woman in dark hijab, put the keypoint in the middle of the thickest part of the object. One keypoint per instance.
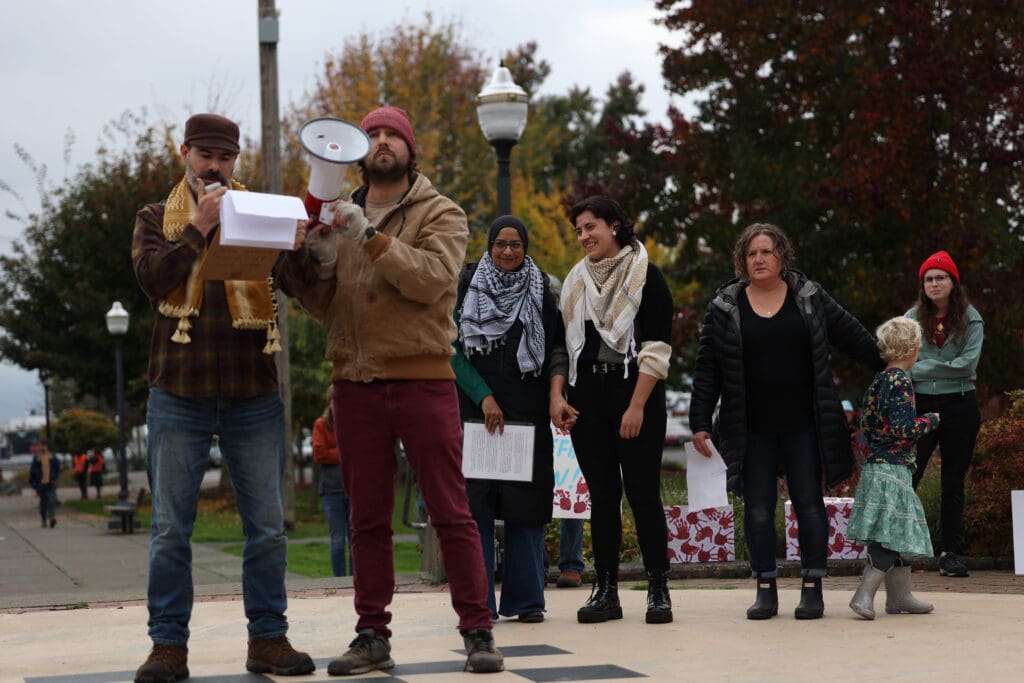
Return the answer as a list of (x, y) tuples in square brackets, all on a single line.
[(501, 110)]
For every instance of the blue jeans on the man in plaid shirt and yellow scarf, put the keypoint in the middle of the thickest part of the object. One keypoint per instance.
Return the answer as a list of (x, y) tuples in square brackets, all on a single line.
[(252, 440)]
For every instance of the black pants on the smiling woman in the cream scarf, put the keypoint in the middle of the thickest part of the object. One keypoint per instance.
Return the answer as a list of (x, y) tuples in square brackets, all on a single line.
[(611, 463)]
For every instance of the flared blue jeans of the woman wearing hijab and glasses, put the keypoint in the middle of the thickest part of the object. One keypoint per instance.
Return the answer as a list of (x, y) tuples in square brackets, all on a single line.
[(523, 574)]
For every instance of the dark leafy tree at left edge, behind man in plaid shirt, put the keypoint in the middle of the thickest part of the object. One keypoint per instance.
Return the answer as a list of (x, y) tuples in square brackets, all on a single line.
[(75, 261)]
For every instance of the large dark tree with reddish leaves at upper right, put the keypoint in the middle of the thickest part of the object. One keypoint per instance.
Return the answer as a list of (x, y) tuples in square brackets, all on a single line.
[(875, 134)]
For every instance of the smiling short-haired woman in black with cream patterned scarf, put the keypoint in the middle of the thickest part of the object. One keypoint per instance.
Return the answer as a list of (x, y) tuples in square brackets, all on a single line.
[(610, 392)]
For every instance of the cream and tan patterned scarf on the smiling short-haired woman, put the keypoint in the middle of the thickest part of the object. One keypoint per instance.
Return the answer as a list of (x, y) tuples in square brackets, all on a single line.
[(608, 293)]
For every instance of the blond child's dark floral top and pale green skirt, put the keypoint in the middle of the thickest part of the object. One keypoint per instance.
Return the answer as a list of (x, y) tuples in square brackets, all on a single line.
[(886, 508)]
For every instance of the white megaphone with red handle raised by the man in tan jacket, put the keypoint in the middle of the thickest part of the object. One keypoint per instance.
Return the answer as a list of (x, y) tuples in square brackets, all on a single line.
[(333, 145)]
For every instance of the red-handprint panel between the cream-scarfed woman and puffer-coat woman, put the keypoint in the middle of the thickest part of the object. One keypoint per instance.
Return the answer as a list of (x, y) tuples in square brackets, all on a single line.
[(702, 536)]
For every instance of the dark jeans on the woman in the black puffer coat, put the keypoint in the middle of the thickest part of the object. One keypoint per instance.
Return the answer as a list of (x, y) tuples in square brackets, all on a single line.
[(797, 455)]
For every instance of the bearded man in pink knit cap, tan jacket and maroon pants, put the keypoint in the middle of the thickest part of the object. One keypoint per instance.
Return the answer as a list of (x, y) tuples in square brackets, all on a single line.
[(386, 289)]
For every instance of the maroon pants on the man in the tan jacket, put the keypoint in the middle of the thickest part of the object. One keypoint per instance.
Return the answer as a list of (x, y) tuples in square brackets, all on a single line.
[(424, 414)]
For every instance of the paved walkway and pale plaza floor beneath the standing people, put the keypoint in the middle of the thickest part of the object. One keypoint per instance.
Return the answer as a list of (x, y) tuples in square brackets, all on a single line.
[(975, 632)]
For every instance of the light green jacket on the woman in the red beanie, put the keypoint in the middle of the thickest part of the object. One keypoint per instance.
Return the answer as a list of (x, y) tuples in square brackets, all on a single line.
[(953, 369)]
